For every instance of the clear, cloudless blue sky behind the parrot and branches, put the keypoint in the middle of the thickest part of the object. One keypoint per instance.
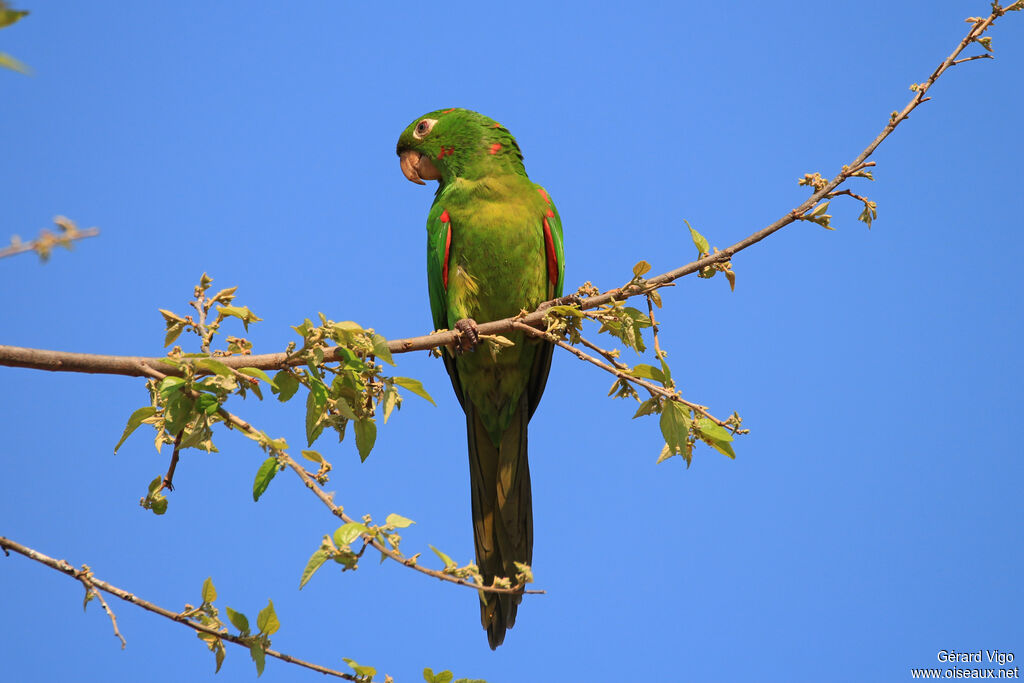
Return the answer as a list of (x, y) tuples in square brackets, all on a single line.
[(873, 516)]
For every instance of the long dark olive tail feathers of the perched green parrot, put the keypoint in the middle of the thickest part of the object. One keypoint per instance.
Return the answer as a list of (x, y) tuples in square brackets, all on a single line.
[(503, 519)]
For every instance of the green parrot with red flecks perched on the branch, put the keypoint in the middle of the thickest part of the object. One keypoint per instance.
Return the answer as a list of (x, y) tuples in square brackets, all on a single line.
[(494, 249)]
